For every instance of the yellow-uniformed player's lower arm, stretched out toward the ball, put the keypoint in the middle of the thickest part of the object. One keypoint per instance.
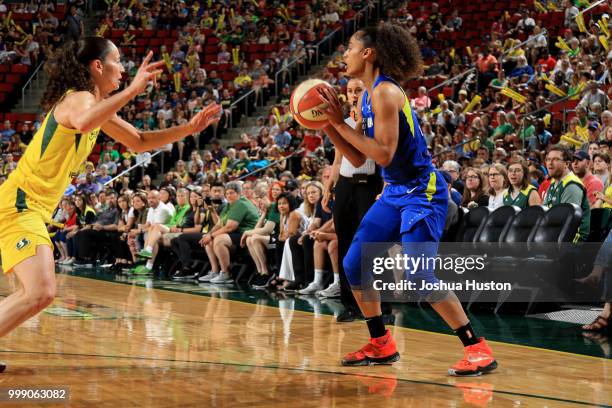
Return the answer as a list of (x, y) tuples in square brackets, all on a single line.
[(140, 141)]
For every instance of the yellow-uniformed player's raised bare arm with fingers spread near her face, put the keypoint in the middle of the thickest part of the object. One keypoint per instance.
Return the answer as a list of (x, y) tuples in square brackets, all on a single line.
[(82, 111)]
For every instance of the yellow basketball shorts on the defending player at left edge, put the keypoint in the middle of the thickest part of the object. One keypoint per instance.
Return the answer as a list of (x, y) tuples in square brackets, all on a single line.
[(22, 229)]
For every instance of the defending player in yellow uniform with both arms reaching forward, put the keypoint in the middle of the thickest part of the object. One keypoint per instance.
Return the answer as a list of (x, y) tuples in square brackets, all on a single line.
[(82, 76)]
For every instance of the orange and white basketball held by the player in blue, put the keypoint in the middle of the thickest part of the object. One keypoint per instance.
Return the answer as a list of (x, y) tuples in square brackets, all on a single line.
[(307, 105)]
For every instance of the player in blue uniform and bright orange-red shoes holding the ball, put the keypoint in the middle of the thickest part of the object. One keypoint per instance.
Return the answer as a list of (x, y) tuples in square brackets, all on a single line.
[(413, 204)]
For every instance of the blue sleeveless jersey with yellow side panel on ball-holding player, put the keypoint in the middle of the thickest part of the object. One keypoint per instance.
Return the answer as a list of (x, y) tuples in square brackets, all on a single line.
[(411, 162)]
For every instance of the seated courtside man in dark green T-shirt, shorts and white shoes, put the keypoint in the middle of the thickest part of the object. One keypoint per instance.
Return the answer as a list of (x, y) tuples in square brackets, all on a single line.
[(238, 216)]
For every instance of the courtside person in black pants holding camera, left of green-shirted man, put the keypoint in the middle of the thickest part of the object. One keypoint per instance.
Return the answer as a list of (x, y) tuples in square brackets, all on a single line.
[(206, 215)]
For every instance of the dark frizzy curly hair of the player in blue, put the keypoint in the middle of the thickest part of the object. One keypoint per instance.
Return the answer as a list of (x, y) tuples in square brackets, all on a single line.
[(397, 51)]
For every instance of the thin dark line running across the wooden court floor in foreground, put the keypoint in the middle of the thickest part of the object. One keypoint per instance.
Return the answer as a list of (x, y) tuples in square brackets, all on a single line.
[(318, 371)]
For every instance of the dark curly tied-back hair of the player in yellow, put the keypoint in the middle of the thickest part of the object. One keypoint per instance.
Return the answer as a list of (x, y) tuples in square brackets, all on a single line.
[(67, 67)]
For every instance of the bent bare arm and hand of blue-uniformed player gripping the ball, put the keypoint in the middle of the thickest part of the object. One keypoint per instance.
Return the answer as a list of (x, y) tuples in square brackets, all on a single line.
[(382, 147)]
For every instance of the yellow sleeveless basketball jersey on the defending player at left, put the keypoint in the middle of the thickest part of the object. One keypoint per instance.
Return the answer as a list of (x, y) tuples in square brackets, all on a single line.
[(49, 163)]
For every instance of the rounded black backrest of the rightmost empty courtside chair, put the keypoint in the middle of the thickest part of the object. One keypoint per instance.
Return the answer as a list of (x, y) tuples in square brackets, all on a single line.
[(559, 224)]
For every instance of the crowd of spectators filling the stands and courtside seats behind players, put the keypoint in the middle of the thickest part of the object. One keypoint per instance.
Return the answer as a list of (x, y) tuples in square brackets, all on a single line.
[(495, 132)]
